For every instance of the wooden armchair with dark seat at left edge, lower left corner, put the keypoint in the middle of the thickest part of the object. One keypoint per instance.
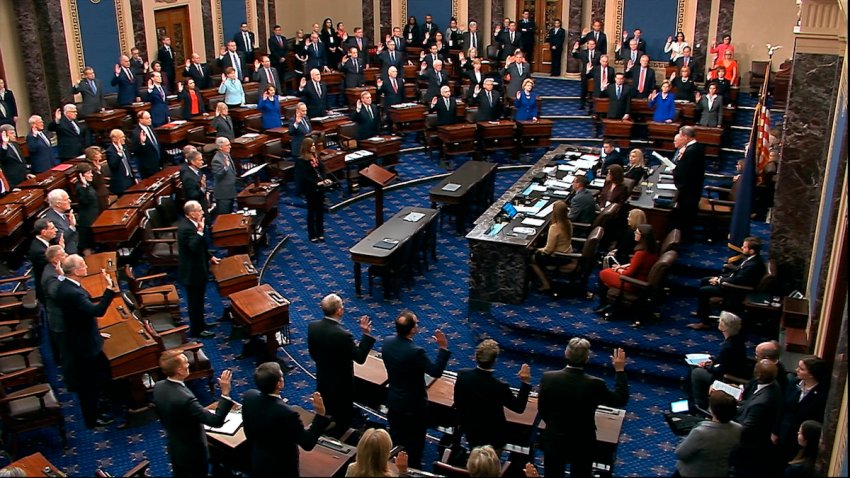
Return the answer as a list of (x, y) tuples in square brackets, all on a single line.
[(30, 408)]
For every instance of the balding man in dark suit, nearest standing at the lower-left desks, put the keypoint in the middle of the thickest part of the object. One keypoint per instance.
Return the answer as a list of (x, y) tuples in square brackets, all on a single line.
[(86, 367)]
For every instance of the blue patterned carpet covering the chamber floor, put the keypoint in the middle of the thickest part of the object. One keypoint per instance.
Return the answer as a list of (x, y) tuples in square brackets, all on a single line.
[(535, 332)]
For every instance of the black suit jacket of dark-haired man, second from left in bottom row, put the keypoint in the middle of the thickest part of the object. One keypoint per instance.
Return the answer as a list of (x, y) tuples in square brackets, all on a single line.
[(274, 432)]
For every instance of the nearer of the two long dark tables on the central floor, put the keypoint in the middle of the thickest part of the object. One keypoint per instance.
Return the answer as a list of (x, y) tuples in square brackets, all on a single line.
[(365, 251)]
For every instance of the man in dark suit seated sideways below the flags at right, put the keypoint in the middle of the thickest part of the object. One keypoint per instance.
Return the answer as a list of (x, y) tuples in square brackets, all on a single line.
[(748, 273)]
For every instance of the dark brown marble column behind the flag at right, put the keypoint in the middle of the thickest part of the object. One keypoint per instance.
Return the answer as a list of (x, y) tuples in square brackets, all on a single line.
[(806, 136)]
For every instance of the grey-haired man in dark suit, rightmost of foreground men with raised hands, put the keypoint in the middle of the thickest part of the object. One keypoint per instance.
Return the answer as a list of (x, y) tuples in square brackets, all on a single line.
[(567, 403)]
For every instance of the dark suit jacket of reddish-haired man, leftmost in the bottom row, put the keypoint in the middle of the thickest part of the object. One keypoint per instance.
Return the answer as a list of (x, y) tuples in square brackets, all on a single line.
[(183, 419)]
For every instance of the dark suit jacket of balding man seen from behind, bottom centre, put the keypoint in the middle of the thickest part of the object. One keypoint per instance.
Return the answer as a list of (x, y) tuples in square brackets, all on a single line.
[(406, 364)]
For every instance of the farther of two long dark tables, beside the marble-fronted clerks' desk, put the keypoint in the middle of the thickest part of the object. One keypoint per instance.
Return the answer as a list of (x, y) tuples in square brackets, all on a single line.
[(474, 181)]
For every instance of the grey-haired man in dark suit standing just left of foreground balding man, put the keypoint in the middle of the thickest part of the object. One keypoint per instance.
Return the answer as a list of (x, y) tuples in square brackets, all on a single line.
[(333, 349)]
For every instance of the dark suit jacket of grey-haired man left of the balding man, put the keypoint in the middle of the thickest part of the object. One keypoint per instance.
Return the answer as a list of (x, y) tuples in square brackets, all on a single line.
[(333, 349)]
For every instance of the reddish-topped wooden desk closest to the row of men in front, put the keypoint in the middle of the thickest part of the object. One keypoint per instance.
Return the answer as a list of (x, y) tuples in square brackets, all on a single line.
[(265, 312)]
